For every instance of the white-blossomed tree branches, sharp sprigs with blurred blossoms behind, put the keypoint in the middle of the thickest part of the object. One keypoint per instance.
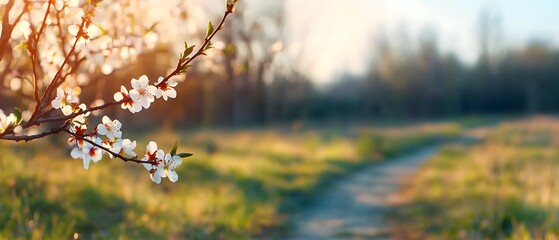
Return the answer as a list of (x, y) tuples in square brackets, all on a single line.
[(59, 43)]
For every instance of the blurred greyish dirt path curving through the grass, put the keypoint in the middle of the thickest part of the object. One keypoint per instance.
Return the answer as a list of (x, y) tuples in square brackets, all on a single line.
[(353, 207)]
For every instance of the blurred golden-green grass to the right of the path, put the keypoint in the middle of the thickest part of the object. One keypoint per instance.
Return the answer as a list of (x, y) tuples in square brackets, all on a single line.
[(505, 187)]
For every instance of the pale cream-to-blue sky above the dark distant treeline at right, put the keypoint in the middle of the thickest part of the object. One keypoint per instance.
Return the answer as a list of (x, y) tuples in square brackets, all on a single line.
[(338, 33)]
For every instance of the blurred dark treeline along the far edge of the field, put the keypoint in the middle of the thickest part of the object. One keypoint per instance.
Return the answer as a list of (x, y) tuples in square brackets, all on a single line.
[(423, 84)]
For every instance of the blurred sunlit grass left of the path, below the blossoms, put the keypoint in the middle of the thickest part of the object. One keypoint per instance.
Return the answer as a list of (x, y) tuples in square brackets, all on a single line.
[(238, 185)]
